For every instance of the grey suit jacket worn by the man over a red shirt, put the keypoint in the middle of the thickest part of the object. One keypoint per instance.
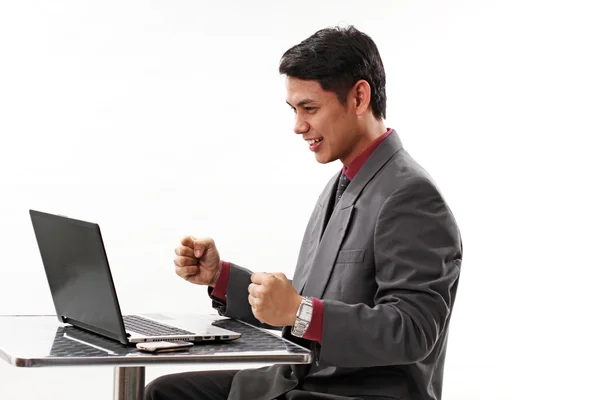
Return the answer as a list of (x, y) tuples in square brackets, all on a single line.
[(386, 264)]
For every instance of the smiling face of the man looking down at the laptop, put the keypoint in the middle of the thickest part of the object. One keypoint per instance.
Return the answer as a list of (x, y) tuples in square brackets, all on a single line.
[(328, 127)]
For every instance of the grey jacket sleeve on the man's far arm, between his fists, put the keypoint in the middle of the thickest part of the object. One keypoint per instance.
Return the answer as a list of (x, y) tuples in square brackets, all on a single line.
[(236, 306)]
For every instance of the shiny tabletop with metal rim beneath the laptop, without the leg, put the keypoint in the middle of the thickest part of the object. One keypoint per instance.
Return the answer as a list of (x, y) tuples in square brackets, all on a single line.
[(45, 339)]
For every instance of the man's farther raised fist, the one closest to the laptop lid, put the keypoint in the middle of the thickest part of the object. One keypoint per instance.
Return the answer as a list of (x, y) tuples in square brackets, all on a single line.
[(198, 261)]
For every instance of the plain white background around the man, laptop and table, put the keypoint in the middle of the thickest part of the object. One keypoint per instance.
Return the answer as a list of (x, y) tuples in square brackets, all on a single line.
[(158, 119)]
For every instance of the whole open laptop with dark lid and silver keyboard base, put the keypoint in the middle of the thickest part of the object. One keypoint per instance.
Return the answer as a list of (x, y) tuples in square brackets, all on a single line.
[(84, 293)]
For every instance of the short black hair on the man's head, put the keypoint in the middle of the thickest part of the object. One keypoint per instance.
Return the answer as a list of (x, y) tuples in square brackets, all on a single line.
[(338, 58)]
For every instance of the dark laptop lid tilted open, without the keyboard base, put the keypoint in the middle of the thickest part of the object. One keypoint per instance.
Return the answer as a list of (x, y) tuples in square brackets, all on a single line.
[(78, 273)]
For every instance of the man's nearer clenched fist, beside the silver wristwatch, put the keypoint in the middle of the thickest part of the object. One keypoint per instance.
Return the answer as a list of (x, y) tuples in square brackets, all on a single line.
[(273, 299)]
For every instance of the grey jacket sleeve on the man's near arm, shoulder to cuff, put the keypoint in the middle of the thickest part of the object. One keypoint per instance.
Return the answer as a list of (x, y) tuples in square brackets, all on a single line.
[(417, 253)]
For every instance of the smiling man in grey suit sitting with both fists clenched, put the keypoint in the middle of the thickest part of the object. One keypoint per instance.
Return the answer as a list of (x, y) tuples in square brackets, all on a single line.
[(378, 268)]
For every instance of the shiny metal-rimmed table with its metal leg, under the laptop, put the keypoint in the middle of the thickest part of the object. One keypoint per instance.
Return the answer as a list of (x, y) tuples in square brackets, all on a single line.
[(43, 341)]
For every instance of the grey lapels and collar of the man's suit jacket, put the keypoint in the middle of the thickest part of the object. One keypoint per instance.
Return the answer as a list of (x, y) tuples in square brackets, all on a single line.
[(334, 230)]
